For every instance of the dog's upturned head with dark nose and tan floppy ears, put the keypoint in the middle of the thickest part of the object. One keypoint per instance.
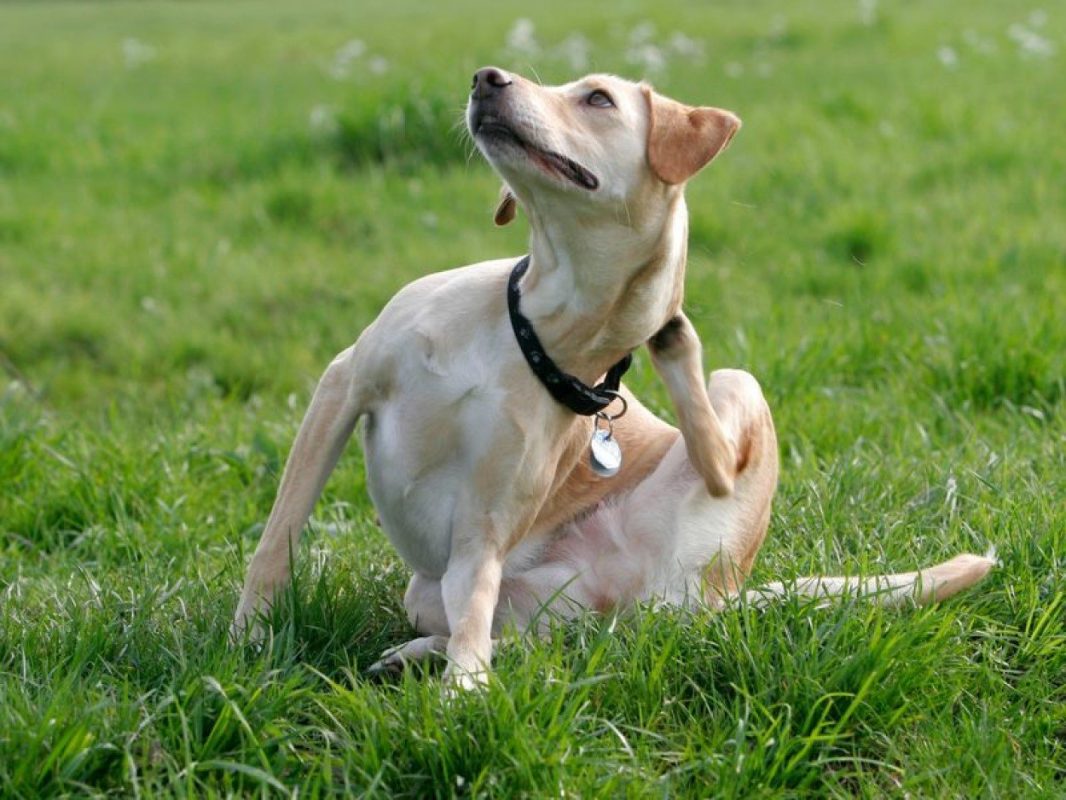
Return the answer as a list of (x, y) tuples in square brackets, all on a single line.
[(596, 143)]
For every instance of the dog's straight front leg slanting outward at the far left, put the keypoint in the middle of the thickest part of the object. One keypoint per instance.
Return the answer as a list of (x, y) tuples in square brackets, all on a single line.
[(327, 428)]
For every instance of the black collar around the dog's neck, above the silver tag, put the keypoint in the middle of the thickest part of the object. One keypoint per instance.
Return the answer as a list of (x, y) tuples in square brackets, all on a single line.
[(568, 390)]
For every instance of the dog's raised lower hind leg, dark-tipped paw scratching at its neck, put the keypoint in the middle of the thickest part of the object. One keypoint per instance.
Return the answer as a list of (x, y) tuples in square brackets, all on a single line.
[(677, 356)]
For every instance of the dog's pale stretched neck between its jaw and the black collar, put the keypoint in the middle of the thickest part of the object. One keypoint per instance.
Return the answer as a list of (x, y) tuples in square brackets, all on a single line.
[(596, 291)]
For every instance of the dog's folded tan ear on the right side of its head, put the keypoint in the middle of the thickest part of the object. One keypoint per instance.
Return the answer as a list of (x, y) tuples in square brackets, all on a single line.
[(682, 139)]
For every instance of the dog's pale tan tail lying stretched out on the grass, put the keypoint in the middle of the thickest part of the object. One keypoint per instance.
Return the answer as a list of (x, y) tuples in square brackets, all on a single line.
[(925, 586)]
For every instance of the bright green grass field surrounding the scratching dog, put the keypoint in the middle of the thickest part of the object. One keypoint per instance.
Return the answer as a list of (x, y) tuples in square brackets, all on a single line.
[(202, 203)]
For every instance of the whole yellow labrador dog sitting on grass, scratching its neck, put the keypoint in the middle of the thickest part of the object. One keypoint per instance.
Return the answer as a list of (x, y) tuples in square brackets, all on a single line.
[(506, 474)]
